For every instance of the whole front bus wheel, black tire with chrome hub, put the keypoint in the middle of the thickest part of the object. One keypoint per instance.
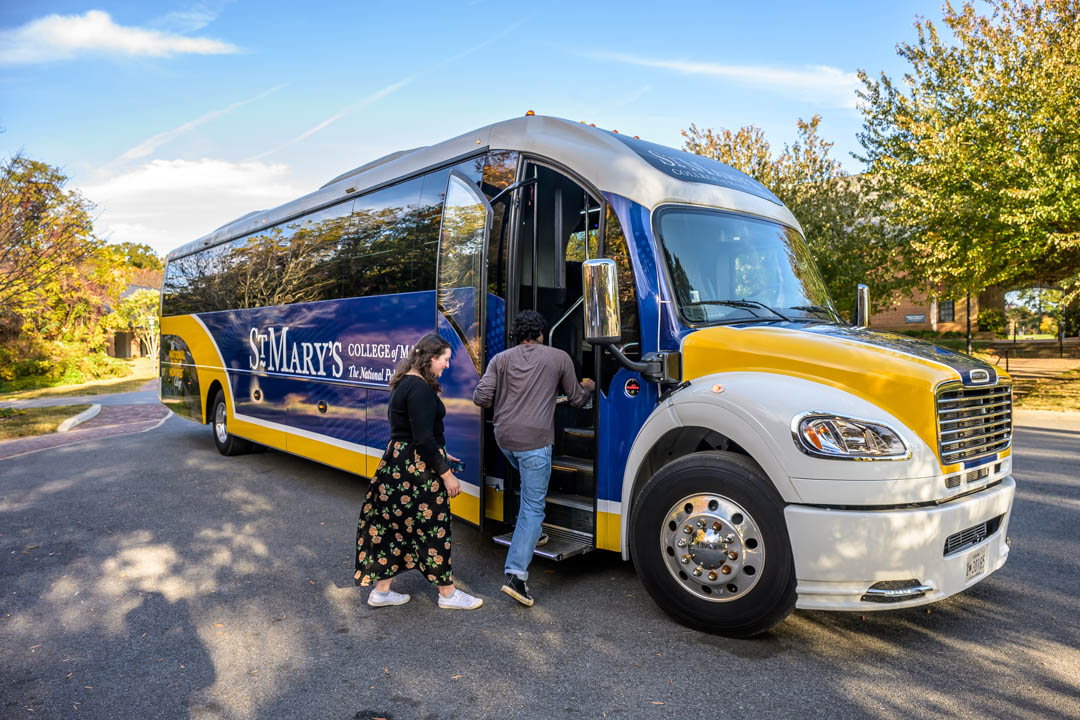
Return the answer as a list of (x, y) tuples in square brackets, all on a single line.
[(710, 544)]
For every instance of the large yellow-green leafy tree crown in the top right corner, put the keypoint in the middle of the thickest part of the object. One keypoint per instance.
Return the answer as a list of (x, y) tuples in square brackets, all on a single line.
[(977, 155)]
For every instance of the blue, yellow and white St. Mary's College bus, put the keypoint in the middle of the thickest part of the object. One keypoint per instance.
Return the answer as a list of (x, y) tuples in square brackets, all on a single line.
[(749, 450)]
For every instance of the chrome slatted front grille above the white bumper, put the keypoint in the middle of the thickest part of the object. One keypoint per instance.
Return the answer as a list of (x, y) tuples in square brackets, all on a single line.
[(974, 423)]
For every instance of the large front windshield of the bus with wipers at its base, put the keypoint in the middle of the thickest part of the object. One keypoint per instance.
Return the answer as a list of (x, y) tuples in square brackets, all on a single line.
[(733, 268)]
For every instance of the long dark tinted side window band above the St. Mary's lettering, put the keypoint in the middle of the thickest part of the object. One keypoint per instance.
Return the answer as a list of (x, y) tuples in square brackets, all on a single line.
[(381, 243)]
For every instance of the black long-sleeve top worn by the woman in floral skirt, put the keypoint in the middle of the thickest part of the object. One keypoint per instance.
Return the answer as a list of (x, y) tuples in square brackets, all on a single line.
[(416, 415)]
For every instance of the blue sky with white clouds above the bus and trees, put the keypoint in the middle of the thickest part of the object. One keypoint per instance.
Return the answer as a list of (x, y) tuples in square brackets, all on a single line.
[(175, 118)]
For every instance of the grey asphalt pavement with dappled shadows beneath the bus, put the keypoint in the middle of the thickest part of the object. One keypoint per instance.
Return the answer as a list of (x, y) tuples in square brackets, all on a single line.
[(145, 576)]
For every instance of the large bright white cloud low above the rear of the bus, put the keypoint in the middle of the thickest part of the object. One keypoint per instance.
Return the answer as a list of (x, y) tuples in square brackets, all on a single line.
[(167, 203)]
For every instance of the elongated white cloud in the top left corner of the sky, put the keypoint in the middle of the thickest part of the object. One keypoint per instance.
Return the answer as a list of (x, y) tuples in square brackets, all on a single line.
[(64, 37)]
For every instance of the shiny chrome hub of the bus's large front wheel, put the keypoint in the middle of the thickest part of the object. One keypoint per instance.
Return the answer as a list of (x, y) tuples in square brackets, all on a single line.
[(712, 547)]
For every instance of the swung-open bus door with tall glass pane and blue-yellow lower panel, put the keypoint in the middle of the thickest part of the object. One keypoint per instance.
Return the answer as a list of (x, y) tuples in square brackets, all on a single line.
[(460, 319)]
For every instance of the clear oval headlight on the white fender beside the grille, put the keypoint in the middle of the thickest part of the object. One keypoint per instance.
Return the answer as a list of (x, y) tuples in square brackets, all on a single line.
[(825, 436)]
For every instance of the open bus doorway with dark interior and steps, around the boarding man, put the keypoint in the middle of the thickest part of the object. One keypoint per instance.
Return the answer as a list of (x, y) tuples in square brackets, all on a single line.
[(557, 227)]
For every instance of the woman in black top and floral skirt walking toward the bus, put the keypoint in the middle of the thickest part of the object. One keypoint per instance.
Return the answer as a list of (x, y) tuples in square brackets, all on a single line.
[(406, 524)]
